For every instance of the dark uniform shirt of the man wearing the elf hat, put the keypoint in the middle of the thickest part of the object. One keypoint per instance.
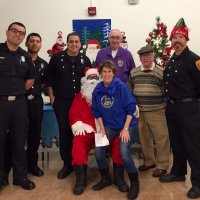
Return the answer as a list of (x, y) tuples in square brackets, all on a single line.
[(182, 76)]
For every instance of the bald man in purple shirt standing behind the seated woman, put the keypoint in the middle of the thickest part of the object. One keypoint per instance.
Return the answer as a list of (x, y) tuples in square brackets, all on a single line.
[(122, 58)]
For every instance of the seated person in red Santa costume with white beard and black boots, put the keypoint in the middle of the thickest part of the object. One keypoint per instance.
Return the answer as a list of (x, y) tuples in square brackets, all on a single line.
[(84, 126)]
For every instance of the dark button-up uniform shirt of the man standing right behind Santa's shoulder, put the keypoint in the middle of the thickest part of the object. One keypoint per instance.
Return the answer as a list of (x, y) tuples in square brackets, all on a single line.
[(65, 73)]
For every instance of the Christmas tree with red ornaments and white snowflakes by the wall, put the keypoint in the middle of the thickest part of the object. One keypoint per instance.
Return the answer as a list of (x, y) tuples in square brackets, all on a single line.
[(158, 40)]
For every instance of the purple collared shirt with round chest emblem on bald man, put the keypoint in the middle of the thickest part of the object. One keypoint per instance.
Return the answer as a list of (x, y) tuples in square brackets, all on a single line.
[(123, 61)]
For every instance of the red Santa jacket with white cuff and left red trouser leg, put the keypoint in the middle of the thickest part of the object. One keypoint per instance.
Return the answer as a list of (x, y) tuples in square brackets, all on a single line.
[(80, 115)]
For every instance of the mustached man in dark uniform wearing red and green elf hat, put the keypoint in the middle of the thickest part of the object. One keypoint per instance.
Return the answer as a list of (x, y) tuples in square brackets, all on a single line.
[(182, 86)]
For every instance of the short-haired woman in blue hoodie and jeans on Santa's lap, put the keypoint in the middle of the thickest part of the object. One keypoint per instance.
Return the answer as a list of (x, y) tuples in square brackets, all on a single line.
[(114, 106)]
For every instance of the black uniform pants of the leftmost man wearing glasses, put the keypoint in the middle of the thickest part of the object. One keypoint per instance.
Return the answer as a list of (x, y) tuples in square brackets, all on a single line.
[(13, 117)]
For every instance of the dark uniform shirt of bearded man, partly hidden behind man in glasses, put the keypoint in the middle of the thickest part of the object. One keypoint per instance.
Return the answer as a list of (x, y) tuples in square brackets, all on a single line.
[(40, 66)]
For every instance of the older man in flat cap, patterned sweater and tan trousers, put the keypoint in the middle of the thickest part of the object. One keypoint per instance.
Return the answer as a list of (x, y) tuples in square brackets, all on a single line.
[(146, 83)]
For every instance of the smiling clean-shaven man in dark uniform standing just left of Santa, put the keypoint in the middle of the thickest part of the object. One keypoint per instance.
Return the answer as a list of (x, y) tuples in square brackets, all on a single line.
[(65, 70)]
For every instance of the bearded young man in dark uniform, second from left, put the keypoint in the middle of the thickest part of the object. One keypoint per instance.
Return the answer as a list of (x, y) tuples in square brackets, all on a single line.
[(35, 104)]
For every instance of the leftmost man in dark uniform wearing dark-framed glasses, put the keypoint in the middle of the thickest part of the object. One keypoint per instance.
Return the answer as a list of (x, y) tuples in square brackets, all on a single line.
[(16, 76)]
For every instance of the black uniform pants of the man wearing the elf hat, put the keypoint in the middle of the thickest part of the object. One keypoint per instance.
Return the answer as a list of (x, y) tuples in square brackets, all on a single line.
[(183, 120)]
